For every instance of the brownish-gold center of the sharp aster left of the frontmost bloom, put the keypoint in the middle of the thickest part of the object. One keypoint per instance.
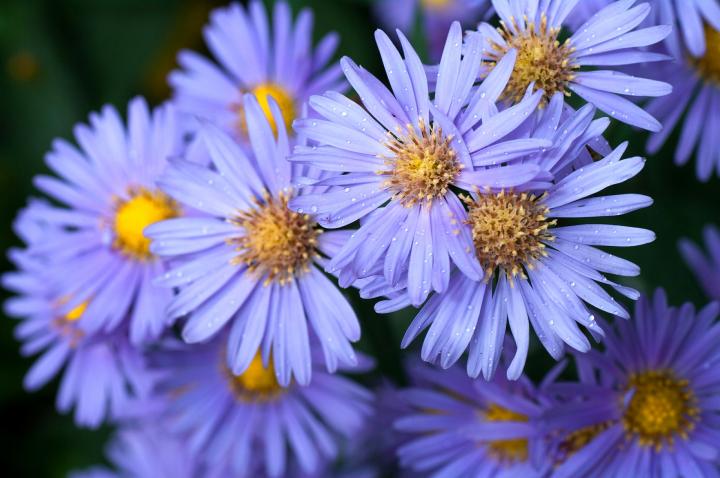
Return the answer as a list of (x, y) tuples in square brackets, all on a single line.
[(278, 242)]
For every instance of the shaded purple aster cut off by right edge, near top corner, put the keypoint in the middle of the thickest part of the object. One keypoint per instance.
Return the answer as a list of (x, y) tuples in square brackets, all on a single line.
[(694, 108)]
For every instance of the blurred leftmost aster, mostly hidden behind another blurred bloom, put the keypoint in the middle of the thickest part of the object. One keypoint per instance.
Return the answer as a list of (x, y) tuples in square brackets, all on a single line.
[(103, 373)]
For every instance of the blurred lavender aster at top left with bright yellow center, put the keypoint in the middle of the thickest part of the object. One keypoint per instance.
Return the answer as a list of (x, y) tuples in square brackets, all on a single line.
[(278, 63)]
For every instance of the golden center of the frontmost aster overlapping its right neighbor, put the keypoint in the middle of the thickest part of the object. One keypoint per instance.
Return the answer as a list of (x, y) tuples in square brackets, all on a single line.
[(424, 165)]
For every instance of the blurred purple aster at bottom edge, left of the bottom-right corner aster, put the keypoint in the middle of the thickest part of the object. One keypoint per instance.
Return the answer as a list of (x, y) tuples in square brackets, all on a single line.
[(459, 427)]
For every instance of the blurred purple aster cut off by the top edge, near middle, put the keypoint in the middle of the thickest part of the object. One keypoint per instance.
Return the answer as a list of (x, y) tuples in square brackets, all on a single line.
[(437, 15)]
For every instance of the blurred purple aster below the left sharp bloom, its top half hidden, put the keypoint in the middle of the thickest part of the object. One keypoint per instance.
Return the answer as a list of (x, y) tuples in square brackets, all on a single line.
[(249, 422)]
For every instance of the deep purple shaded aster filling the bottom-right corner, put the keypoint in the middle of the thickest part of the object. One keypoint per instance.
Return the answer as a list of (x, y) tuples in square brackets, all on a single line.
[(648, 405)]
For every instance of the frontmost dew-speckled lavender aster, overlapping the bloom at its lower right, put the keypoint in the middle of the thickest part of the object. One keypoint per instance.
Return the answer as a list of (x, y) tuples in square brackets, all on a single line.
[(407, 152)]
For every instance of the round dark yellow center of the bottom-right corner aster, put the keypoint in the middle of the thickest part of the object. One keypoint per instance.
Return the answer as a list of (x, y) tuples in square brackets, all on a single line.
[(662, 407)]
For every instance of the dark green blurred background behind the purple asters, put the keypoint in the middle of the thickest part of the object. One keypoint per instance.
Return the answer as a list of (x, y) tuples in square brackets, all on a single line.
[(61, 59)]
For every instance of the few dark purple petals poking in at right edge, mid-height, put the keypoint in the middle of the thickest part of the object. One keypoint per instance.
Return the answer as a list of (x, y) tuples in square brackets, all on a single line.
[(705, 267)]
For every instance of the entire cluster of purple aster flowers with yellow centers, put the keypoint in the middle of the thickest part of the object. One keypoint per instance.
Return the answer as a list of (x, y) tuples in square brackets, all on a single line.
[(185, 272)]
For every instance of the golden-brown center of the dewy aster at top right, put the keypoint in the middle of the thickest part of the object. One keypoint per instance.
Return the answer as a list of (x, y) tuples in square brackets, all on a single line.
[(541, 58)]
